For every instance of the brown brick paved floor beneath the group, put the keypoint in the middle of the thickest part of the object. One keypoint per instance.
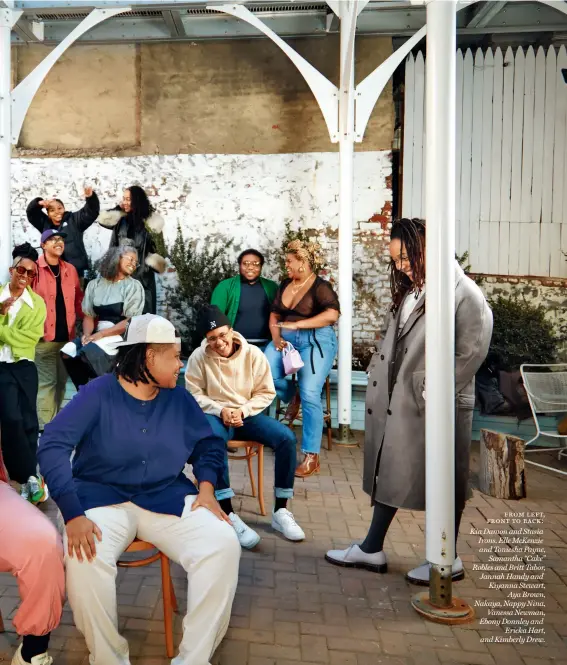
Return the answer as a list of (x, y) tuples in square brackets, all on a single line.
[(293, 607)]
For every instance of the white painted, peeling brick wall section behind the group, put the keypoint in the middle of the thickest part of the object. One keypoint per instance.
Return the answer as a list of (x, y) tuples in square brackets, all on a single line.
[(245, 197)]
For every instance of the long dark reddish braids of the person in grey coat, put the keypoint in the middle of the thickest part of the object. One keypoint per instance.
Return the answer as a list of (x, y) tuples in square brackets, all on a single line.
[(411, 234)]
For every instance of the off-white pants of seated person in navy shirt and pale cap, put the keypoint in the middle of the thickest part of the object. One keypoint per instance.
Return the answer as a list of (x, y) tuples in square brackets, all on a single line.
[(203, 545)]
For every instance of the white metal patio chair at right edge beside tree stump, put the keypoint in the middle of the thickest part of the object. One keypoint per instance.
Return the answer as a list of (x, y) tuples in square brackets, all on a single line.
[(546, 387)]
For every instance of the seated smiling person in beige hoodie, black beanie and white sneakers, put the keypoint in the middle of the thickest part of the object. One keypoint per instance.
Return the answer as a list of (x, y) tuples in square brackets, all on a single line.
[(232, 382)]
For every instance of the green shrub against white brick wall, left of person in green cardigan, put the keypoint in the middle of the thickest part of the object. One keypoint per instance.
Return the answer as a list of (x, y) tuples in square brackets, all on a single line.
[(198, 272)]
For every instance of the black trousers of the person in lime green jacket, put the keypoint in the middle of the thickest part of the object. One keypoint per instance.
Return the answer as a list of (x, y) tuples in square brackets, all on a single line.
[(19, 428)]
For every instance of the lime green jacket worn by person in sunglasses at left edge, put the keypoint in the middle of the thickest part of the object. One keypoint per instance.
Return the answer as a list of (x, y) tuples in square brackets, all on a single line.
[(26, 331)]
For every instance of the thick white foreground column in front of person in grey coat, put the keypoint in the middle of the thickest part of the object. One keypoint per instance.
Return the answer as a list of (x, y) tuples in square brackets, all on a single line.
[(440, 289)]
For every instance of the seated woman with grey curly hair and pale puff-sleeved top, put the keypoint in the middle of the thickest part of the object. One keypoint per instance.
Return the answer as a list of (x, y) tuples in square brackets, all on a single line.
[(110, 301)]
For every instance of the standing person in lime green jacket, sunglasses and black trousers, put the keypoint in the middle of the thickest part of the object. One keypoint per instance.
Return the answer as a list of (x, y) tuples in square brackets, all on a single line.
[(22, 318)]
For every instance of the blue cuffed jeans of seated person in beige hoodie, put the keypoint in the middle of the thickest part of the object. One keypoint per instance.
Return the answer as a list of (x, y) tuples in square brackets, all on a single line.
[(269, 432)]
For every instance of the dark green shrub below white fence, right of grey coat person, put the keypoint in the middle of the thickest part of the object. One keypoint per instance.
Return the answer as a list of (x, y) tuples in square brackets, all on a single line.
[(522, 334)]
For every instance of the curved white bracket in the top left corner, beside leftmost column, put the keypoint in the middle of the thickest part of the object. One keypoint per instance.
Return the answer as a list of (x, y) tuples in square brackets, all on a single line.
[(24, 92)]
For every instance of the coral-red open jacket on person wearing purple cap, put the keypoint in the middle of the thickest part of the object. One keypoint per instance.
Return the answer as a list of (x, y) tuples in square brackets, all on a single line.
[(45, 285)]
